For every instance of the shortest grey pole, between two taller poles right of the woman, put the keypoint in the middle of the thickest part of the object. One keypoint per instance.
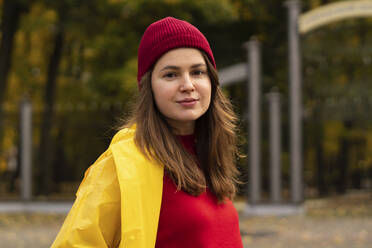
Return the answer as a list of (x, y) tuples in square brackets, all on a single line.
[(275, 144)]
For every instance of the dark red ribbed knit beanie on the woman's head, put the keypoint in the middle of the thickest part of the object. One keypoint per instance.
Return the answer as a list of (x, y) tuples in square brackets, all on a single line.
[(167, 34)]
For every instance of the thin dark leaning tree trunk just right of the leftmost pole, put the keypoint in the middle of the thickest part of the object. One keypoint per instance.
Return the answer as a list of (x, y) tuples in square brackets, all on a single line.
[(45, 151)]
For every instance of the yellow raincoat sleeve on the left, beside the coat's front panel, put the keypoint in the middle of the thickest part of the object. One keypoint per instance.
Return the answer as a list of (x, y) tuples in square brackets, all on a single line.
[(94, 219)]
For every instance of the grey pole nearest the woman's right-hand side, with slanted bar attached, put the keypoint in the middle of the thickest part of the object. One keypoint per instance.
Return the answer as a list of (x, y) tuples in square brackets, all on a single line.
[(254, 88)]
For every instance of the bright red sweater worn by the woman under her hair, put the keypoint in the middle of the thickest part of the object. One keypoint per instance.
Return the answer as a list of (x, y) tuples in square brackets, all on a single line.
[(195, 222)]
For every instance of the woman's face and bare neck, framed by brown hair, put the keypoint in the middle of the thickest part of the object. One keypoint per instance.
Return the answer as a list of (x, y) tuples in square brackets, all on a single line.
[(181, 88)]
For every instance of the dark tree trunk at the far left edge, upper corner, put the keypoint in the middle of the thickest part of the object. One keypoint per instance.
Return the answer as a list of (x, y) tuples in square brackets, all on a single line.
[(11, 10)]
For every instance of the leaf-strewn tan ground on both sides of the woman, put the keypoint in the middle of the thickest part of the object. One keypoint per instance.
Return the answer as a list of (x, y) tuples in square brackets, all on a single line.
[(342, 222)]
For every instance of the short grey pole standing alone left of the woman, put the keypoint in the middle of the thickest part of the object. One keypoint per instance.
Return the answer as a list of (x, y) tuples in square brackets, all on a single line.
[(26, 149)]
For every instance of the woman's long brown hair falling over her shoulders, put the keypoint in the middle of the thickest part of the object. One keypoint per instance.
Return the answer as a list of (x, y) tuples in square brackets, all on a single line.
[(216, 142)]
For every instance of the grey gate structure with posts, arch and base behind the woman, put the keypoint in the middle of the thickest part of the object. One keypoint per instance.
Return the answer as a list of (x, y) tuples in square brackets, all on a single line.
[(250, 72)]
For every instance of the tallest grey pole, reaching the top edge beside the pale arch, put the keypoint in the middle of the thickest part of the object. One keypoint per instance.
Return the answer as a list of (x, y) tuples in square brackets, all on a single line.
[(295, 96)]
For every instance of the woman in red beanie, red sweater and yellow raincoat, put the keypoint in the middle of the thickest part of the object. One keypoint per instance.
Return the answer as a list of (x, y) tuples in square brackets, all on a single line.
[(168, 177)]
